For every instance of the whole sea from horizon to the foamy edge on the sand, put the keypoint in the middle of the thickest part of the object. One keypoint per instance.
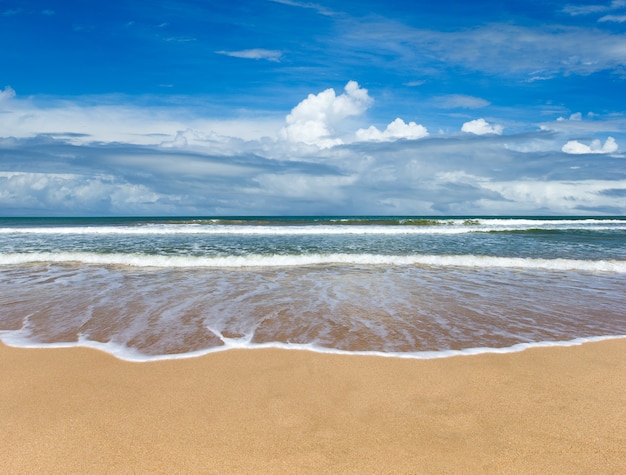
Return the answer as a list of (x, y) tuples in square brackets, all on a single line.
[(414, 287)]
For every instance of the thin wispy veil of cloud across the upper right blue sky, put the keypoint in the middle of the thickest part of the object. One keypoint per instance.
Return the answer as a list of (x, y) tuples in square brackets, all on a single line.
[(540, 51)]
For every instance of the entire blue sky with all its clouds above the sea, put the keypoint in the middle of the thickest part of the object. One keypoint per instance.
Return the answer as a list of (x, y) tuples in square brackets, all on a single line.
[(291, 107)]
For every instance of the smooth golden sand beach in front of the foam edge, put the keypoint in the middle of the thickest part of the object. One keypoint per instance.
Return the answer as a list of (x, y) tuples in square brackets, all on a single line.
[(544, 410)]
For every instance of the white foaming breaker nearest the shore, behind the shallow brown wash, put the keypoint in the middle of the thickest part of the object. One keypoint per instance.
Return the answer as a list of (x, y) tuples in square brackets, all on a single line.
[(292, 260)]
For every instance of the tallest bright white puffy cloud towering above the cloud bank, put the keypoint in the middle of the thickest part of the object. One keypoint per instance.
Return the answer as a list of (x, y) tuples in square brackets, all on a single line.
[(313, 120)]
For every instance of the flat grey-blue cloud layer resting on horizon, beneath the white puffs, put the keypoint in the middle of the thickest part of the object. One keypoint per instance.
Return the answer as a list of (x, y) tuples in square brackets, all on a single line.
[(449, 175)]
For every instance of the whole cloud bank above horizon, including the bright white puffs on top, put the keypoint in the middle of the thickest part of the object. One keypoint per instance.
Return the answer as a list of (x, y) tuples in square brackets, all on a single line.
[(96, 159)]
